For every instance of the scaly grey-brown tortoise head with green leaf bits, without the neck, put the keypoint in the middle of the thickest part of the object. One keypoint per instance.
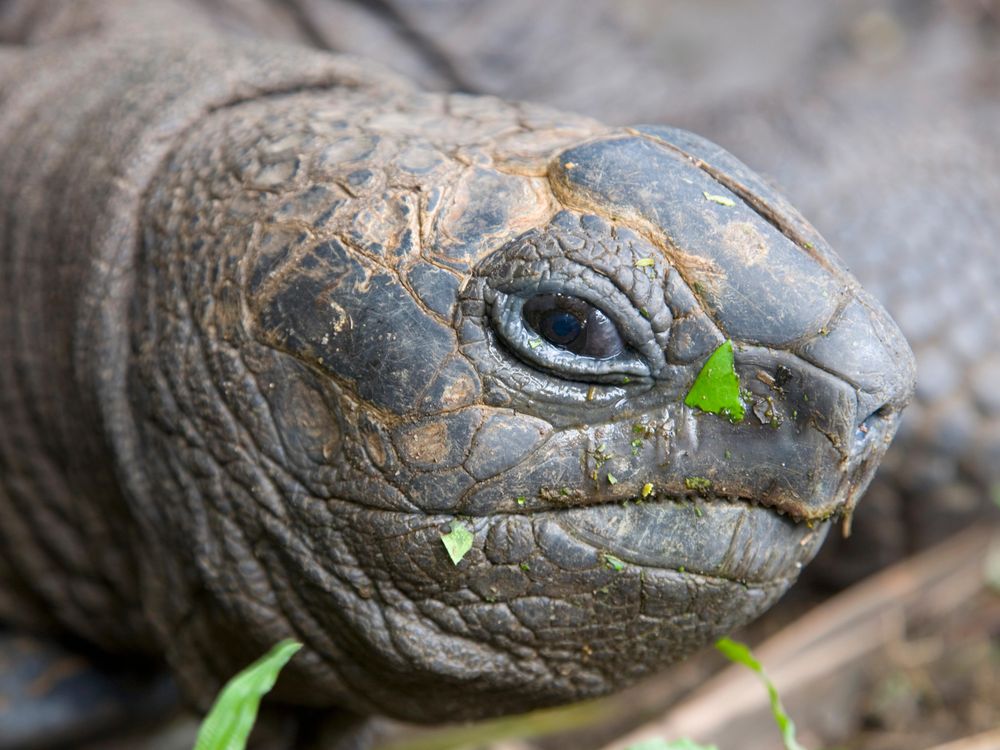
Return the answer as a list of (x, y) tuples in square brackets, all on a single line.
[(423, 384)]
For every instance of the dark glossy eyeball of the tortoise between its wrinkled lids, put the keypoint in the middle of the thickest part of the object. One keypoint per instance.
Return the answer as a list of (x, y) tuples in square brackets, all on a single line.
[(573, 324)]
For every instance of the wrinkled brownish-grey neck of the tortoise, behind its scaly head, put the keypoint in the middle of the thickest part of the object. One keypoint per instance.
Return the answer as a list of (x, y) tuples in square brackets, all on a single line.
[(84, 126)]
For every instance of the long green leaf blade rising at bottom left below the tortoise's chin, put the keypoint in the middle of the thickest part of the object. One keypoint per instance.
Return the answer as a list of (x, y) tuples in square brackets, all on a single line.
[(232, 717)]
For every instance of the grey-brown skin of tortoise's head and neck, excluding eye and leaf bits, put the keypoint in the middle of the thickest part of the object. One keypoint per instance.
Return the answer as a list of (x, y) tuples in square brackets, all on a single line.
[(264, 341)]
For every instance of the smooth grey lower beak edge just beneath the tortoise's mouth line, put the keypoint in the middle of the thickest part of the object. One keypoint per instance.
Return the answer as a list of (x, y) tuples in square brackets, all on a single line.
[(737, 541)]
